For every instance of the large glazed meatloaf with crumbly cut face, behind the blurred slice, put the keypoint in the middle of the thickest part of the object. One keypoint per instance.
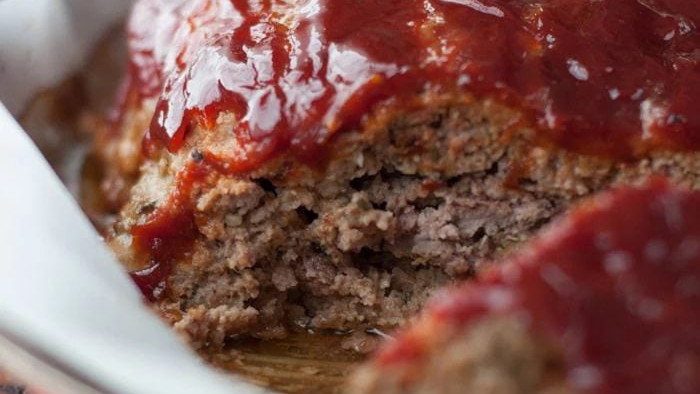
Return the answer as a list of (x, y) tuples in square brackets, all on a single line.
[(326, 164)]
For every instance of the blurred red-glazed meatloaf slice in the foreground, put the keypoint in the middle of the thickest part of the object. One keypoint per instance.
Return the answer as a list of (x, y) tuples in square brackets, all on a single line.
[(604, 301)]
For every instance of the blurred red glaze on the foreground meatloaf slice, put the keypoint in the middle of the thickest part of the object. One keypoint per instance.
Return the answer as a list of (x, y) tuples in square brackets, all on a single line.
[(616, 285)]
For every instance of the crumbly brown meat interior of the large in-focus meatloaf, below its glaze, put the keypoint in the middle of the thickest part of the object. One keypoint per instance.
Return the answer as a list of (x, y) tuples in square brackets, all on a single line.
[(405, 204)]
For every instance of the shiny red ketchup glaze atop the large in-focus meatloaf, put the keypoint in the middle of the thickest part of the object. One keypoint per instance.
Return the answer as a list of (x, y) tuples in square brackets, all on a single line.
[(607, 77)]
